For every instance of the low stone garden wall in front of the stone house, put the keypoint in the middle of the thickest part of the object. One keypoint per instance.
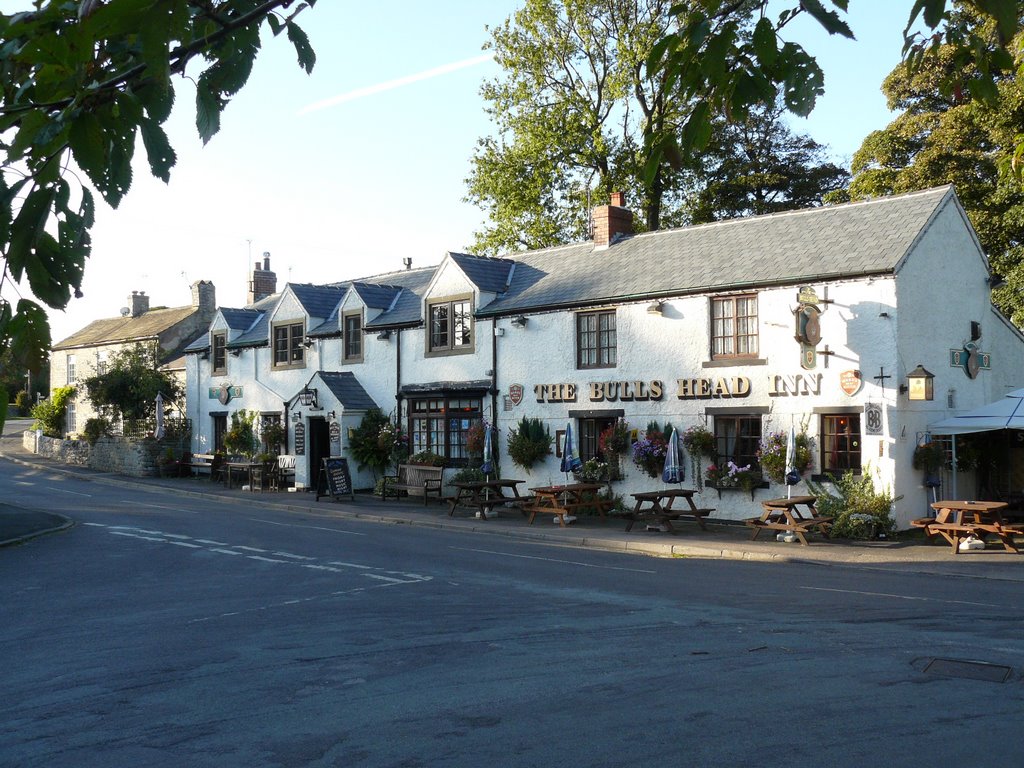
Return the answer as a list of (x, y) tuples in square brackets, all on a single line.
[(116, 455)]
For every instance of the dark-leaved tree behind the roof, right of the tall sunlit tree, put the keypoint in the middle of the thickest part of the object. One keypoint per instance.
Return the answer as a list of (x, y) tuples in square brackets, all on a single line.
[(760, 166)]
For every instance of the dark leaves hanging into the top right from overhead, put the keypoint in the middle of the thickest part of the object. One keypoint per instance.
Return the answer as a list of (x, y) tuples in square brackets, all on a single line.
[(712, 63)]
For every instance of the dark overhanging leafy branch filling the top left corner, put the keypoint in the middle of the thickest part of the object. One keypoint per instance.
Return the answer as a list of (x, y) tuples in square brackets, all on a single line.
[(81, 80)]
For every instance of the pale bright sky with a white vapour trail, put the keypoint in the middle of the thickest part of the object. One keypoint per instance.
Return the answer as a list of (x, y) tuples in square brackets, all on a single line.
[(346, 173)]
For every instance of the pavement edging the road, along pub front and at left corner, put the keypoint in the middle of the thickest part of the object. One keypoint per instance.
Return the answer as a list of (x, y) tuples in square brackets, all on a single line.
[(723, 540)]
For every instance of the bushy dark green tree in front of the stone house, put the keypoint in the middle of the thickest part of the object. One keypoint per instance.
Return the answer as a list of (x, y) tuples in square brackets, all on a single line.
[(129, 390)]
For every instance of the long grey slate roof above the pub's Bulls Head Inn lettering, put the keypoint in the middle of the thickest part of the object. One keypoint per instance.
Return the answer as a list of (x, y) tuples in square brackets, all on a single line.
[(818, 244)]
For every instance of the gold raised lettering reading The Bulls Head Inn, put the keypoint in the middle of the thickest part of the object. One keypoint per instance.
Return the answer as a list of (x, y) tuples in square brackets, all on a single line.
[(687, 390)]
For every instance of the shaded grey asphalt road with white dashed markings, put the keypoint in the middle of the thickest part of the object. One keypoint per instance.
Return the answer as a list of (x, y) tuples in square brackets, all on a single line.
[(165, 631)]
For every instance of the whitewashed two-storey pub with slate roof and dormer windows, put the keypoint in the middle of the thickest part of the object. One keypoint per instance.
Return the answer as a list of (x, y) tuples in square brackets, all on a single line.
[(823, 319)]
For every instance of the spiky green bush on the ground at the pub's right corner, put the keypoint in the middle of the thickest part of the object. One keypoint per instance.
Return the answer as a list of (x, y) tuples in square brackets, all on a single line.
[(858, 509)]
